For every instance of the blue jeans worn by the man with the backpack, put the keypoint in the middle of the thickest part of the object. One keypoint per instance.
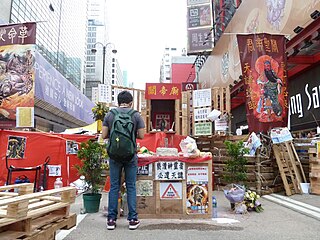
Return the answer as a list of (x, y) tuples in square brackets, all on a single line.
[(130, 169)]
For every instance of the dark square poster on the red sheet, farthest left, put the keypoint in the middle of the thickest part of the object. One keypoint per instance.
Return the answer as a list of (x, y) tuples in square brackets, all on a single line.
[(16, 147)]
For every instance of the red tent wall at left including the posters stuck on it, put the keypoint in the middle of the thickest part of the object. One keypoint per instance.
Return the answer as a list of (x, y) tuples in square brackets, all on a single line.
[(29, 149)]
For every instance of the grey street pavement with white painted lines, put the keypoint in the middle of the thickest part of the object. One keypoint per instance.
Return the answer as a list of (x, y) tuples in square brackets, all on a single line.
[(278, 221)]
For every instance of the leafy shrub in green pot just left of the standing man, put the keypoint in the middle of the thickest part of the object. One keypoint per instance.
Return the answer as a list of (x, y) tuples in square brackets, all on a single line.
[(92, 155)]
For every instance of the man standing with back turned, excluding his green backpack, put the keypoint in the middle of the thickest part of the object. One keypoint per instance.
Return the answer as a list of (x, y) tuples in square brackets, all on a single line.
[(125, 101)]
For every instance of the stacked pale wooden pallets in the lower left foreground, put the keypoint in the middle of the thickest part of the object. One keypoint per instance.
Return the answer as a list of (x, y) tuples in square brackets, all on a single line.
[(35, 215)]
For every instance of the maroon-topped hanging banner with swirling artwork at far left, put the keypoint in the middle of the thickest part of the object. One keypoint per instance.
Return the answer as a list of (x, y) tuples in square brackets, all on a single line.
[(17, 74)]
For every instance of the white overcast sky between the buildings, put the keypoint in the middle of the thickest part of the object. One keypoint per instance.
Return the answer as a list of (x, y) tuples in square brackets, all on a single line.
[(141, 29)]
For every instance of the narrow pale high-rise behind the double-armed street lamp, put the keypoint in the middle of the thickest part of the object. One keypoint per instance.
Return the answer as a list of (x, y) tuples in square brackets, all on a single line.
[(105, 54)]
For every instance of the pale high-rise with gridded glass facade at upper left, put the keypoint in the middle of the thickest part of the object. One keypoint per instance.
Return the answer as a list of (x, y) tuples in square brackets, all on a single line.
[(59, 26)]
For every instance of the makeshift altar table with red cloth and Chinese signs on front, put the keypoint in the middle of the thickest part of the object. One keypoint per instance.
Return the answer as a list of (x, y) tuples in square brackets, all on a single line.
[(170, 185)]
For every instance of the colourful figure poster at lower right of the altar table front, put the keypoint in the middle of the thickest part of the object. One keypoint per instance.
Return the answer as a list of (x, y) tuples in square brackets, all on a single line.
[(197, 199)]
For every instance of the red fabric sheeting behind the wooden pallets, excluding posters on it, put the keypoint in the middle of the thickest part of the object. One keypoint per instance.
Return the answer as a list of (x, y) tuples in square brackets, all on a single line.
[(38, 147)]
